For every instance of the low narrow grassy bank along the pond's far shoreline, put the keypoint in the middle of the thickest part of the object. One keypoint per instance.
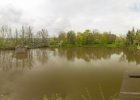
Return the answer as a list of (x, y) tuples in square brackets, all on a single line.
[(57, 45)]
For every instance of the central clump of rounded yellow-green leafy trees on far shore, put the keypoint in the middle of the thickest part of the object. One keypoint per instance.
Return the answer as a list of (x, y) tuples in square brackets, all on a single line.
[(87, 38)]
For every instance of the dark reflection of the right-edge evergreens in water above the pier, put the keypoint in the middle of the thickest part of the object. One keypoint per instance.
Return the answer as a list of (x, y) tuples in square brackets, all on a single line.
[(131, 56)]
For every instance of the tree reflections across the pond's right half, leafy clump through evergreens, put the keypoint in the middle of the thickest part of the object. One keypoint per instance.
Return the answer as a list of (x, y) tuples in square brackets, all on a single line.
[(89, 54)]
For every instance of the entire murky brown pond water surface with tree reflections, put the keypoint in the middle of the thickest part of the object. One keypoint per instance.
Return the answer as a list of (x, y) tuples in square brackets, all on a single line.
[(65, 74)]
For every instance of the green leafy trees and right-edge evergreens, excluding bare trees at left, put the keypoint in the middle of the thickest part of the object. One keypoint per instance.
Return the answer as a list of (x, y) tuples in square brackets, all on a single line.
[(99, 39)]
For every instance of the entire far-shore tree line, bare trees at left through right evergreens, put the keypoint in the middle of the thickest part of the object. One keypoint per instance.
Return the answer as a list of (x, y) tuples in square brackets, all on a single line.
[(26, 37)]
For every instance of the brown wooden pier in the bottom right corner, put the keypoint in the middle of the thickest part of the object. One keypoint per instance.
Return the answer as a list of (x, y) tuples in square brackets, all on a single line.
[(130, 89)]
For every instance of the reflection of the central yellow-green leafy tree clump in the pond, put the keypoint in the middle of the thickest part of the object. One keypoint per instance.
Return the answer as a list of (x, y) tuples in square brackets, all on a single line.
[(87, 53)]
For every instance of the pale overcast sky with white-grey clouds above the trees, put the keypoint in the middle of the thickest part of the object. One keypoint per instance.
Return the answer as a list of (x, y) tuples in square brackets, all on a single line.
[(116, 16)]
